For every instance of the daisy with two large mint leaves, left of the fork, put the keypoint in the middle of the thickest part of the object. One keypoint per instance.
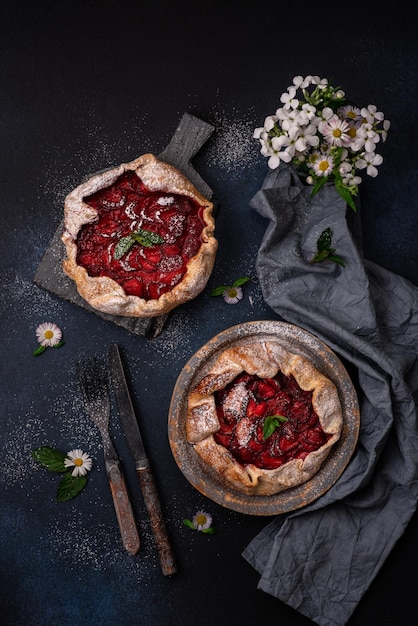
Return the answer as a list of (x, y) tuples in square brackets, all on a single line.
[(58, 462)]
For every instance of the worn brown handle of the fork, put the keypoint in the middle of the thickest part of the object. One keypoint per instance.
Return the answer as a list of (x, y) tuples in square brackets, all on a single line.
[(123, 508)]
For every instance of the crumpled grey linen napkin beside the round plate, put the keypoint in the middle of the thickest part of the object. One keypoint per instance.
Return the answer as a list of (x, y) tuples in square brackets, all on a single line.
[(322, 558)]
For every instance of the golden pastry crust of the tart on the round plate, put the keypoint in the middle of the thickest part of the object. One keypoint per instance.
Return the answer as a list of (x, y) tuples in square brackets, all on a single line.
[(264, 359)]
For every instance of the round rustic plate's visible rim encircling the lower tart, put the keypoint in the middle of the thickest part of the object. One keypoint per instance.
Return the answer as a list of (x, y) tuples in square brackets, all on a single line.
[(208, 482)]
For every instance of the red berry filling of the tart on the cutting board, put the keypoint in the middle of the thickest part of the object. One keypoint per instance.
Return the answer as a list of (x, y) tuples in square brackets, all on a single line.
[(126, 207)]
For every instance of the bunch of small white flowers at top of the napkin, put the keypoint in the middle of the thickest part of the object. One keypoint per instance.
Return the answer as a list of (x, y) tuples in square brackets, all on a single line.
[(314, 115)]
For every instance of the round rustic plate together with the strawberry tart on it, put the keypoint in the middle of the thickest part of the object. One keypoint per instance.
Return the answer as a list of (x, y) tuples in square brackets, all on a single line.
[(264, 418)]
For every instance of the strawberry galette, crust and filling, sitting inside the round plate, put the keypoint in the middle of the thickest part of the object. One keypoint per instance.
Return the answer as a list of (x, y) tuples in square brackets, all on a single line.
[(262, 418)]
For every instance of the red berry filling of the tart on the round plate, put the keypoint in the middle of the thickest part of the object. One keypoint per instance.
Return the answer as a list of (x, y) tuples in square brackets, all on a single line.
[(242, 408)]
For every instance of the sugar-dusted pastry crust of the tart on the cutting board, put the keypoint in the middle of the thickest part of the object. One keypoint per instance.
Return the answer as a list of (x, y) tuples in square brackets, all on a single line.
[(105, 294)]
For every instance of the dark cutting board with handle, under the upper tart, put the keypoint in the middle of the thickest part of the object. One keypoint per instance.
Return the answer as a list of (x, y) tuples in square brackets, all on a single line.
[(189, 137)]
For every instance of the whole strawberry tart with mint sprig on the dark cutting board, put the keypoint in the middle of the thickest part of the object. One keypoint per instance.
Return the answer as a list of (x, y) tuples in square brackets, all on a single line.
[(139, 239)]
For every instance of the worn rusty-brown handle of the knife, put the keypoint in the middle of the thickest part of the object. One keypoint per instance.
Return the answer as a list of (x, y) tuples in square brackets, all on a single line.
[(152, 503)]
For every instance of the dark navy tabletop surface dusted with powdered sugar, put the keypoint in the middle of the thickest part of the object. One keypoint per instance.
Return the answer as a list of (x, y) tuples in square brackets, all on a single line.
[(87, 85)]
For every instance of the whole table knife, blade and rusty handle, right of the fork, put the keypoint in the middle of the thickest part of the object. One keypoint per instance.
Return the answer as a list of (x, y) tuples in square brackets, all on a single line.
[(133, 438)]
